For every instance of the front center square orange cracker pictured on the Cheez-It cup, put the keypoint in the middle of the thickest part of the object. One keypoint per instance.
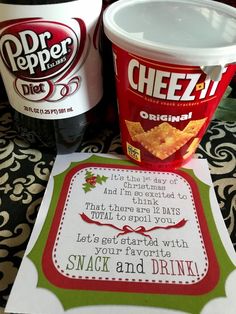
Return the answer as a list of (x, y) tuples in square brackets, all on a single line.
[(162, 141)]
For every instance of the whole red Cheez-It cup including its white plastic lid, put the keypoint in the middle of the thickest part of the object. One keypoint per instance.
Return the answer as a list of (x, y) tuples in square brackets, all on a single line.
[(173, 60)]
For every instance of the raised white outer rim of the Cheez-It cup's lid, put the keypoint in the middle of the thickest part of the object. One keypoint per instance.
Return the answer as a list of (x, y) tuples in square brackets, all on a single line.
[(166, 52)]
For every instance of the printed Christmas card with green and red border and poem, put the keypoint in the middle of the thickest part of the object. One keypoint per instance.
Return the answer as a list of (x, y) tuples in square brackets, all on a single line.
[(111, 237)]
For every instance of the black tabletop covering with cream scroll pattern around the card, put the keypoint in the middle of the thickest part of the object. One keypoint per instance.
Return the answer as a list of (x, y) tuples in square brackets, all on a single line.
[(24, 172)]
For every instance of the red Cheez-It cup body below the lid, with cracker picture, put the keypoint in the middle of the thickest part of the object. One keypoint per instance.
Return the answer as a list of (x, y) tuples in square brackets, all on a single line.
[(164, 108)]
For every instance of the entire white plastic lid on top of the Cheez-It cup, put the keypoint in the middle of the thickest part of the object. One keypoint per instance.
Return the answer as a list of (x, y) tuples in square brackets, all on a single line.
[(188, 32)]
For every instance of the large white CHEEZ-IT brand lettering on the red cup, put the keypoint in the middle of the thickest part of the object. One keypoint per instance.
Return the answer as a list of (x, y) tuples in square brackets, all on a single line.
[(169, 85)]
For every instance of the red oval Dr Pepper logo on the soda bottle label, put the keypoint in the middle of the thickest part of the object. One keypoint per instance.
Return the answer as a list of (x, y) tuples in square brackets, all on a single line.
[(35, 49)]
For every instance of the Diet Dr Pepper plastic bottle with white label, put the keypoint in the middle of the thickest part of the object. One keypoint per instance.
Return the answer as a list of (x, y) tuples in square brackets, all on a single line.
[(51, 66)]
